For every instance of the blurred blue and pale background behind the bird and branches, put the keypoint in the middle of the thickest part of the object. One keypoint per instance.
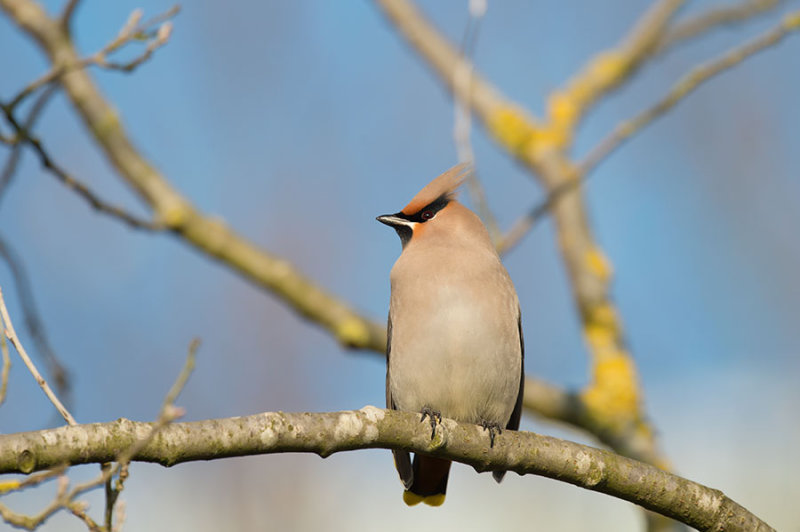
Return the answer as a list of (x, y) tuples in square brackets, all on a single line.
[(298, 123)]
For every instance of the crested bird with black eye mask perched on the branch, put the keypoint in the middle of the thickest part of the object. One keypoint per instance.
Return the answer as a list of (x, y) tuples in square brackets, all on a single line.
[(455, 346)]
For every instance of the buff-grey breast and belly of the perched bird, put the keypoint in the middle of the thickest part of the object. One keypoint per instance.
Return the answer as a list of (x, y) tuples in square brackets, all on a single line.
[(455, 344)]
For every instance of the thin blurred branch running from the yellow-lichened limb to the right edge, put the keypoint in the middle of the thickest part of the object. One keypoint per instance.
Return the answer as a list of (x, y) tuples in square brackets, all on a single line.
[(685, 86)]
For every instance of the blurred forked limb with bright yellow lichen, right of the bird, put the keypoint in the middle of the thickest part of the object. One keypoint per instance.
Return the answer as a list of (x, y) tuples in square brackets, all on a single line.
[(613, 398)]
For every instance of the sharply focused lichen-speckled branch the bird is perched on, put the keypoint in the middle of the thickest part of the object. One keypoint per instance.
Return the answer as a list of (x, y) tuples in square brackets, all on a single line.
[(326, 433)]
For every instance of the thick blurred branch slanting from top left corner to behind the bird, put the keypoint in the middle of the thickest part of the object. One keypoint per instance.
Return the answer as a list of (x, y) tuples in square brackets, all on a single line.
[(172, 210)]
